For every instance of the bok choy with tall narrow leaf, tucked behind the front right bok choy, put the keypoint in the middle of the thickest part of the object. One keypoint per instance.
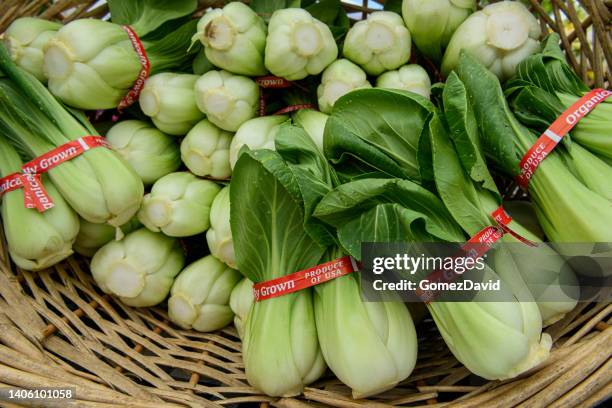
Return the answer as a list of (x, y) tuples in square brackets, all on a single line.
[(468, 191)]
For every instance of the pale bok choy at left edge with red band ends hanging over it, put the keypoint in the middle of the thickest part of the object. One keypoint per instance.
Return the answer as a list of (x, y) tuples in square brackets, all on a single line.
[(35, 240)]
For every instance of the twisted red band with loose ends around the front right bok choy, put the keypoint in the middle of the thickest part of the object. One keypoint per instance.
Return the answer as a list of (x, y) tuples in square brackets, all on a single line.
[(476, 247)]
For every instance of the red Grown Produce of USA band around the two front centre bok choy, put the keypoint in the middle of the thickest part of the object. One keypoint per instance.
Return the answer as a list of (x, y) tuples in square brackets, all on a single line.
[(304, 279)]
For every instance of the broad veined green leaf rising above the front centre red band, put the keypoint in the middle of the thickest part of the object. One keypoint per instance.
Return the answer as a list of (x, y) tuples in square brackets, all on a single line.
[(267, 218)]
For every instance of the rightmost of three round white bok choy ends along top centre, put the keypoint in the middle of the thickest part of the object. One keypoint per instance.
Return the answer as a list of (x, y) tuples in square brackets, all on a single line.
[(378, 44)]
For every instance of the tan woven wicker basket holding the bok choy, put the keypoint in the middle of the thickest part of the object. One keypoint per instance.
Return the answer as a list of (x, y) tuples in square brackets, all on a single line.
[(58, 330)]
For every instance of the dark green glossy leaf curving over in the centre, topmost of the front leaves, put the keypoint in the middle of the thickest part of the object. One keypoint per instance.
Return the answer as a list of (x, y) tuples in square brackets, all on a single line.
[(379, 129)]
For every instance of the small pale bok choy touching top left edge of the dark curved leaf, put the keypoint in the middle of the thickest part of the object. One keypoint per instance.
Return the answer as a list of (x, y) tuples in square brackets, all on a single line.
[(340, 78)]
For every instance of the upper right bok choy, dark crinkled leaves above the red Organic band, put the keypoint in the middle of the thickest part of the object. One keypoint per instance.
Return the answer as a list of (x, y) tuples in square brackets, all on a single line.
[(545, 86)]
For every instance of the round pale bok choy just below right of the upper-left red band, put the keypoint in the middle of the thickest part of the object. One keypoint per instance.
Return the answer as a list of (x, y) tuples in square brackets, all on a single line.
[(169, 100)]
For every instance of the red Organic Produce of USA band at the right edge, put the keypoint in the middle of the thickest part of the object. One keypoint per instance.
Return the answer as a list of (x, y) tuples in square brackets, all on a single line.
[(556, 131)]
